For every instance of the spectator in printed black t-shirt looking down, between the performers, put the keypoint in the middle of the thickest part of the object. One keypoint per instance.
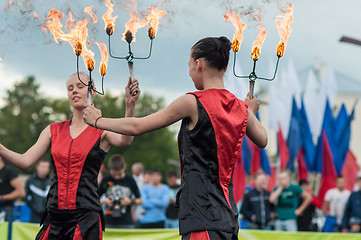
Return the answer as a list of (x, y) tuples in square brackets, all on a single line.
[(121, 192)]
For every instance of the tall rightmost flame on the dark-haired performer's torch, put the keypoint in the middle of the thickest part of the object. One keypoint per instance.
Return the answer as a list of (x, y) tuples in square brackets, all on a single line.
[(283, 22)]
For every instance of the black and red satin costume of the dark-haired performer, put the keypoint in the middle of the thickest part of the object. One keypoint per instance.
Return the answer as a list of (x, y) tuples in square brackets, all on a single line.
[(208, 154)]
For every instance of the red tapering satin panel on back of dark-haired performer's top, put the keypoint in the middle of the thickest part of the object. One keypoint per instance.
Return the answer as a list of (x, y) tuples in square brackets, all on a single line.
[(229, 117)]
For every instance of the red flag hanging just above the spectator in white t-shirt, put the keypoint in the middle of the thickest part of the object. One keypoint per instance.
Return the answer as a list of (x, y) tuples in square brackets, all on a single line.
[(328, 178)]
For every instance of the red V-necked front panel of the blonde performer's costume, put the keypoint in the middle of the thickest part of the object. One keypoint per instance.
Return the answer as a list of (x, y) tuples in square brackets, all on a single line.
[(69, 156)]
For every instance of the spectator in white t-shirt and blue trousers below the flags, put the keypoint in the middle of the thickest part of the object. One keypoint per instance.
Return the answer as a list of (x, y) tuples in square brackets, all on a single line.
[(334, 206)]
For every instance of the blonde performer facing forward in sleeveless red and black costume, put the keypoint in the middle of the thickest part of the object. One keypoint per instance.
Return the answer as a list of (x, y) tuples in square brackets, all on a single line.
[(77, 150)]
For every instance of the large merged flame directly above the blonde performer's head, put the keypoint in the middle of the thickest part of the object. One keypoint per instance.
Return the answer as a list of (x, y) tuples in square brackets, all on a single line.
[(77, 37)]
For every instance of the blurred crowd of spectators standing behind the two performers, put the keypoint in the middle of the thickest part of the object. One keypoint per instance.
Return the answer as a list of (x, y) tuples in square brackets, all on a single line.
[(142, 200)]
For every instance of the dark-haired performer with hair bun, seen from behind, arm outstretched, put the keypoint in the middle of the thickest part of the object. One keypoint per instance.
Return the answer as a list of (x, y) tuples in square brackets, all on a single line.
[(210, 139)]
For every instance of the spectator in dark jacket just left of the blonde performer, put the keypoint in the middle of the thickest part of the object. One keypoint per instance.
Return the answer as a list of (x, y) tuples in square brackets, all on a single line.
[(37, 187)]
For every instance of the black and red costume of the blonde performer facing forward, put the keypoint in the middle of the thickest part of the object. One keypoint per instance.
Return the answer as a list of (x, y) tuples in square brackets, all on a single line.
[(73, 206)]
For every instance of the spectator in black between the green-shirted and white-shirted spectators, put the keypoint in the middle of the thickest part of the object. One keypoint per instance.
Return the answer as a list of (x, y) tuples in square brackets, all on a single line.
[(304, 221)]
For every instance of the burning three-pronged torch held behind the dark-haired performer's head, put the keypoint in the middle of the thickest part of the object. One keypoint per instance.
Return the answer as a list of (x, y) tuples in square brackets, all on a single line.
[(283, 25)]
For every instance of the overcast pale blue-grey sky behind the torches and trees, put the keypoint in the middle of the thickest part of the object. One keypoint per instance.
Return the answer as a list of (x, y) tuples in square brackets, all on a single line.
[(316, 30)]
